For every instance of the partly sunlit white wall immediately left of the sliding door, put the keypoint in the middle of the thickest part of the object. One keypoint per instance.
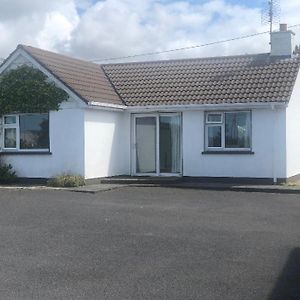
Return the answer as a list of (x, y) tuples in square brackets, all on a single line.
[(107, 143)]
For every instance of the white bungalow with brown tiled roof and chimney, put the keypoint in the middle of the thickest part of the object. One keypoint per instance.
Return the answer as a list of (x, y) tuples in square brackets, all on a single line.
[(236, 116)]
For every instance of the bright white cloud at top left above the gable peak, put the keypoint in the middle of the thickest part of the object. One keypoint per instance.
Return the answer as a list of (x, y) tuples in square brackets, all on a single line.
[(45, 24)]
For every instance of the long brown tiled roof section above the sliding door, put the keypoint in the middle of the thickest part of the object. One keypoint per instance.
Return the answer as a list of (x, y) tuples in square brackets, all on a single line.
[(232, 79)]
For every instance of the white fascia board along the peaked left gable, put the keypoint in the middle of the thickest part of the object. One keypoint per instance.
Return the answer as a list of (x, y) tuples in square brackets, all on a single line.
[(37, 65)]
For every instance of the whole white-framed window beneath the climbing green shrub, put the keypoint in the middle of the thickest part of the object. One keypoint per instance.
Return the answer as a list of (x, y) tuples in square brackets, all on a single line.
[(26, 132)]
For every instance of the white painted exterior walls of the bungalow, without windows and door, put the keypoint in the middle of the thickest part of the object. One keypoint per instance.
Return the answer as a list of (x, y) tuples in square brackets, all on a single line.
[(96, 143)]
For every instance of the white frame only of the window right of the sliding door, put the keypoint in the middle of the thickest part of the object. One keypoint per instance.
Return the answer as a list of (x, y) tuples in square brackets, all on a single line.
[(223, 133)]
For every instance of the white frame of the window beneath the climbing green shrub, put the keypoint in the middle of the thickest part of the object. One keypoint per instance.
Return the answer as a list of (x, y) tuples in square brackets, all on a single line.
[(17, 127)]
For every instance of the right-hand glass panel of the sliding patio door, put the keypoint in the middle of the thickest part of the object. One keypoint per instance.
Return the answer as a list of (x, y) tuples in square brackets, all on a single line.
[(169, 144)]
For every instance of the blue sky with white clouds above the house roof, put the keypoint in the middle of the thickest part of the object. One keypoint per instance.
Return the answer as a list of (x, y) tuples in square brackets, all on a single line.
[(112, 28)]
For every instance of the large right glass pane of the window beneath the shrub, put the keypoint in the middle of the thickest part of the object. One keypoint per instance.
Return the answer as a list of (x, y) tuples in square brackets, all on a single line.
[(34, 131)]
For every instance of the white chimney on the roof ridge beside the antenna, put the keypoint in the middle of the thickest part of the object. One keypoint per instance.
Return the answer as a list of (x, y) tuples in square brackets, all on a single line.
[(282, 42)]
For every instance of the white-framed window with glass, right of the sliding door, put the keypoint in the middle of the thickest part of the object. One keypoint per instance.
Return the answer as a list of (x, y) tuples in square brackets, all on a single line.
[(228, 130)]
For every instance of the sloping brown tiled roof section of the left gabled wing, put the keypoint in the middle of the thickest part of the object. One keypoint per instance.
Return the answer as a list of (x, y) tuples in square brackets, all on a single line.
[(86, 79)]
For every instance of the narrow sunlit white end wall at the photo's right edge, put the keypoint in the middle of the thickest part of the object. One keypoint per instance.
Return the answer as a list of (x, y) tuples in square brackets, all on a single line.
[(293, 132)]
